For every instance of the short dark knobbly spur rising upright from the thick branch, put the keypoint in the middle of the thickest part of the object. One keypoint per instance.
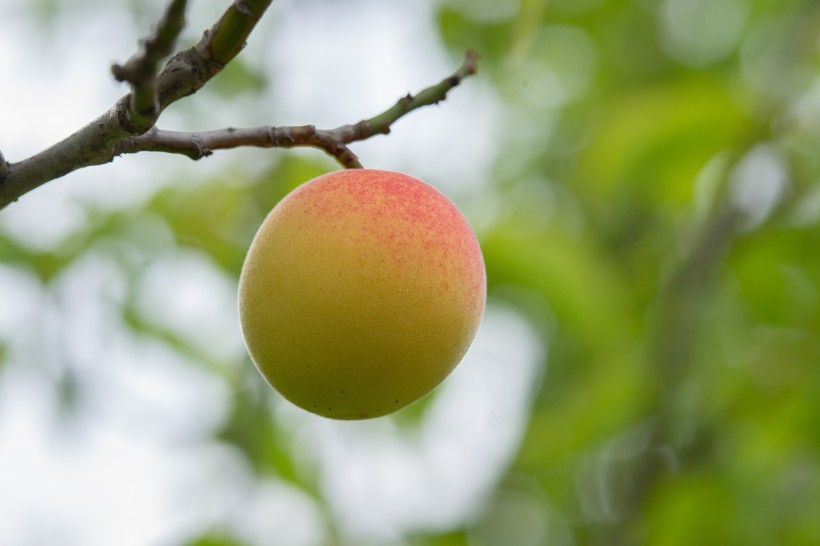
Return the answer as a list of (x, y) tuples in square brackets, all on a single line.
[(141, 70)]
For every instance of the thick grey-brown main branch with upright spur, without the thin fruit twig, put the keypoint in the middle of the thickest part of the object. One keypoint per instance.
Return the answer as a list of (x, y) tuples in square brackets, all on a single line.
[(110, 134)]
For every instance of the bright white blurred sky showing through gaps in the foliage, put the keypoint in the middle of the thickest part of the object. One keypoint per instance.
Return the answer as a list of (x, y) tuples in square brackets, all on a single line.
[(137, 467)]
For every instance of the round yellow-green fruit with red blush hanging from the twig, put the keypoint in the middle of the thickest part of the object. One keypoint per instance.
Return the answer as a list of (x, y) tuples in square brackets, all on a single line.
[(360, 293)]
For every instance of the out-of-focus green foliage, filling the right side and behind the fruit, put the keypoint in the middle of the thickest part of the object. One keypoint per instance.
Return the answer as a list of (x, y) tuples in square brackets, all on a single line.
[(682, 401)]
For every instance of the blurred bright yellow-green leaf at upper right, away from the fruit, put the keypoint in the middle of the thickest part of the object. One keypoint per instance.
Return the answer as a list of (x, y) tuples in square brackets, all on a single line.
[(650, 142)]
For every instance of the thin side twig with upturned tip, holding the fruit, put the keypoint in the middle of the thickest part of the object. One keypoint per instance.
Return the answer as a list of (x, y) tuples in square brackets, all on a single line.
[(197, 145)]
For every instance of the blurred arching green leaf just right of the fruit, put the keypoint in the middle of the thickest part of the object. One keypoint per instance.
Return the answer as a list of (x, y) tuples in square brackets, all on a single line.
[(596, 383)]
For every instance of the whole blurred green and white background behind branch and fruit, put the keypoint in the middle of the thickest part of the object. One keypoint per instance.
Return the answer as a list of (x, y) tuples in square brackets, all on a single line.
[(643, 178)]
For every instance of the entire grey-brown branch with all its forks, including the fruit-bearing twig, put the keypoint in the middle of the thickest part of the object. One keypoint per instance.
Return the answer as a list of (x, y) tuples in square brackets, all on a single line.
[(129, 126)]
